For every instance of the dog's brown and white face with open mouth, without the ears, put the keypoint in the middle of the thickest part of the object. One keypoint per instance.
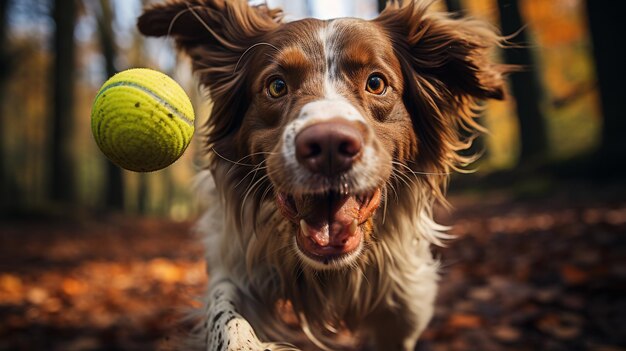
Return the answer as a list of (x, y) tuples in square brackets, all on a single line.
[(327, 117)]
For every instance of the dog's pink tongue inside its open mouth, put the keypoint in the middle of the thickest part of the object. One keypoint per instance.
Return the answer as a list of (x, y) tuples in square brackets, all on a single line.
[(328, 220)]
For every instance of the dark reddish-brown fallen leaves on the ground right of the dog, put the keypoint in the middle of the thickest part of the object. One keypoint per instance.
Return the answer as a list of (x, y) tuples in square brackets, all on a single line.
[(538, 275)]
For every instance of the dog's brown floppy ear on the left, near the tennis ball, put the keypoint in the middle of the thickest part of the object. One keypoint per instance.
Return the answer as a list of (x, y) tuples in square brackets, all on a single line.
[(215, 34)]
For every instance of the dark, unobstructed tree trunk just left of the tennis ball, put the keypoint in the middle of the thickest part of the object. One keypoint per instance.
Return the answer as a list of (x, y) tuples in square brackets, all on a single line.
[(61, 186)]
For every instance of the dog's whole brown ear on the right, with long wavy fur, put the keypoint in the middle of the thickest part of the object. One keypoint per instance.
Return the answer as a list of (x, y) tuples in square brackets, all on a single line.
[(447, 67)]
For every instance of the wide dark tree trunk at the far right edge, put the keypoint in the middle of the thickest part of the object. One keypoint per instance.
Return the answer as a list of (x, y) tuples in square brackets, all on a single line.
[(608, 51)]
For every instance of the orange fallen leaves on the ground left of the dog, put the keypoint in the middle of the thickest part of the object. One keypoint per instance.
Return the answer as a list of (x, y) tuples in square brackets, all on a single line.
[(106, 289)]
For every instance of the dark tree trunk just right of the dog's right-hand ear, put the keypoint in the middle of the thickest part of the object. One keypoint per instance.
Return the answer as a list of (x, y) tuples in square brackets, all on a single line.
[(525, 86)]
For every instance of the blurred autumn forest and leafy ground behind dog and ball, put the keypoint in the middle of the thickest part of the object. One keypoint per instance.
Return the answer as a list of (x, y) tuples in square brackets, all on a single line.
[(93, 257)]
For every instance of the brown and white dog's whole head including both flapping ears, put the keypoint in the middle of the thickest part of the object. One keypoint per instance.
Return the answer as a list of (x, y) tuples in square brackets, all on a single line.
[(330, 116)]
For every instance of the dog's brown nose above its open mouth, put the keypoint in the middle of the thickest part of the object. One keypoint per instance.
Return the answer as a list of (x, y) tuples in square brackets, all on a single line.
[(329, 148)]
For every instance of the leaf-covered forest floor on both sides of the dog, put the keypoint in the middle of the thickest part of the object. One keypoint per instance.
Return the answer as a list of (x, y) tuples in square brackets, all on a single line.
[(539, 273)]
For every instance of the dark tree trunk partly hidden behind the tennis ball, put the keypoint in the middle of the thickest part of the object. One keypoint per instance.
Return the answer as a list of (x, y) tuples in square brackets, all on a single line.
[(114, 189)]
